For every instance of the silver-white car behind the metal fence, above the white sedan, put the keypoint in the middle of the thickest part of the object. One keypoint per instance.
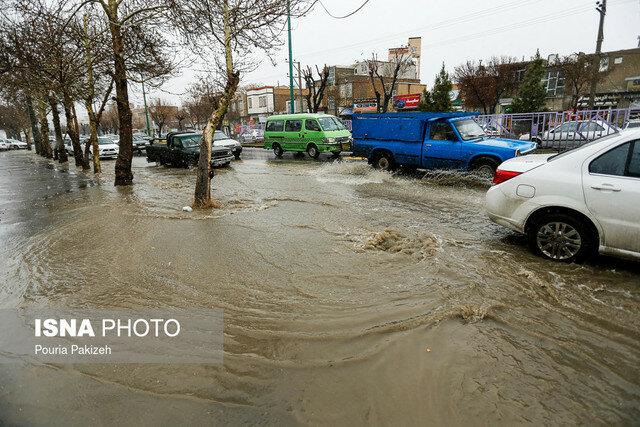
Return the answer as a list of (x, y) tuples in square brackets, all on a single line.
[(570, 134)]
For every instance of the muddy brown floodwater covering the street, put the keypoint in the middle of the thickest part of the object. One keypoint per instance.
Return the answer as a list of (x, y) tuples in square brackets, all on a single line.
[(350, 297)]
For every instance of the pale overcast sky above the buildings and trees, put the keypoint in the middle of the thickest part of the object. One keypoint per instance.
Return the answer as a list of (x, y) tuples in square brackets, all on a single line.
[(452, 31)]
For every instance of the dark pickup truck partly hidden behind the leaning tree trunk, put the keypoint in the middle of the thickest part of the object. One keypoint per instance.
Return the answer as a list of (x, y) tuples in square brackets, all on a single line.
[(182, 149)]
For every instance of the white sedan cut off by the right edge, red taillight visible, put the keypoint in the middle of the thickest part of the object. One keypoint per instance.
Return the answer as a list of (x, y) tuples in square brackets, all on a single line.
[(575, 203)]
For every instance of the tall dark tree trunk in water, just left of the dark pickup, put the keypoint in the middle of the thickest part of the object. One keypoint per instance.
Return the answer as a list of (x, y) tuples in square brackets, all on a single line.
[(124, 175)]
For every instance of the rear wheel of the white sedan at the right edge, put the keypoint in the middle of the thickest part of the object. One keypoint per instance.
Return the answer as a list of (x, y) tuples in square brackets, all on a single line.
[(560, 237)]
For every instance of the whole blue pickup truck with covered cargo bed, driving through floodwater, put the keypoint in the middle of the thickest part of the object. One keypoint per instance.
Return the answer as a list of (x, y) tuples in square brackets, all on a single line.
[(431, 141)]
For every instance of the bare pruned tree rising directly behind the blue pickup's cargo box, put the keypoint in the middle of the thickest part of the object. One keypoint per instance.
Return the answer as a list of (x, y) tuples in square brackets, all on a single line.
[(384, 77)]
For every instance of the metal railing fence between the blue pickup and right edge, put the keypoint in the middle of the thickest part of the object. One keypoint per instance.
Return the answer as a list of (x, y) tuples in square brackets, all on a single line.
[(558, 131)]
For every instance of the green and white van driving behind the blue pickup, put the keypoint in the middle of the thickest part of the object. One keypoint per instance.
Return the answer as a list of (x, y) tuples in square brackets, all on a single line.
[(313, 133)]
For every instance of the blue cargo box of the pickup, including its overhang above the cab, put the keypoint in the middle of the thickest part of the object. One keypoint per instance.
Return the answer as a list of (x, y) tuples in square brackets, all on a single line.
[(408, 127)]
